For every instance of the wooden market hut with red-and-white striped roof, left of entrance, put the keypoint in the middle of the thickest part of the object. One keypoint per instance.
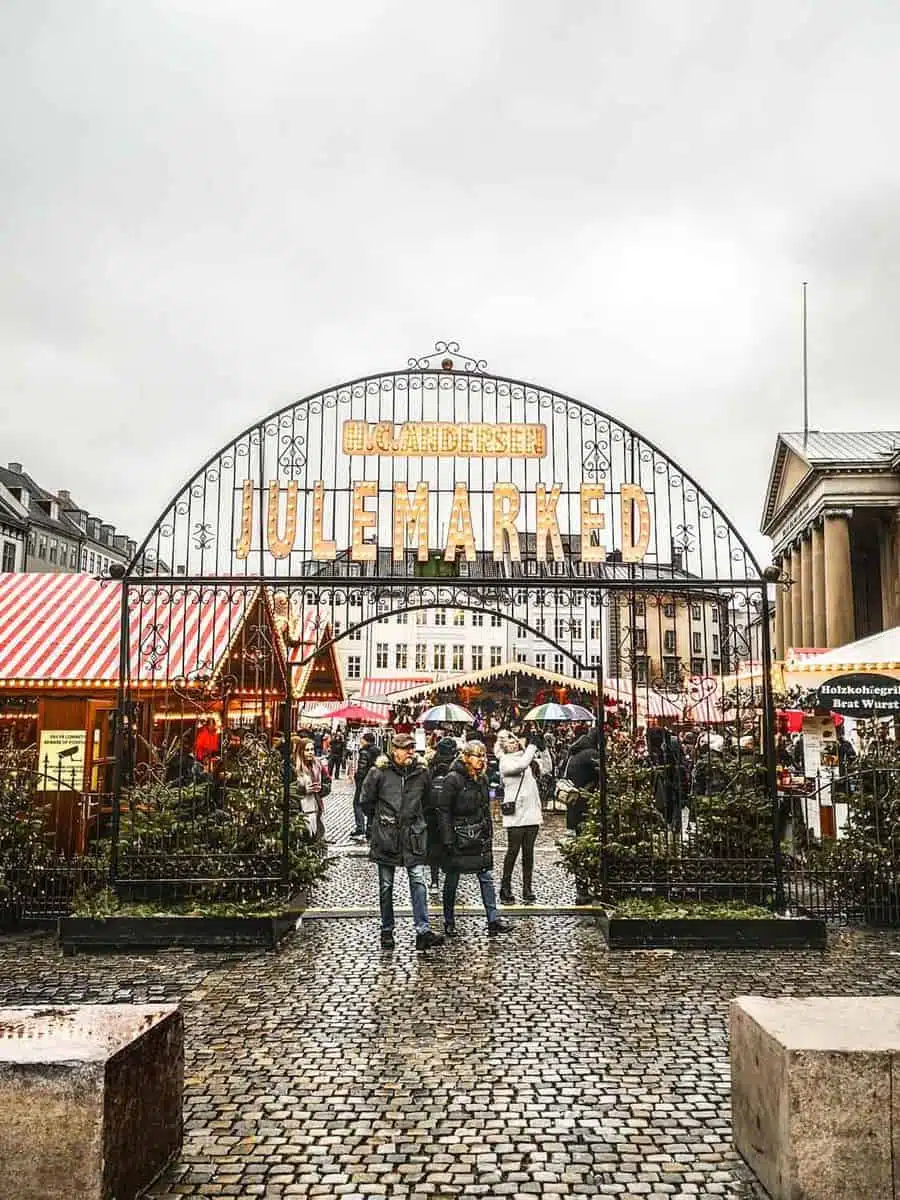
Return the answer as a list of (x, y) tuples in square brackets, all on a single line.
[(193, 652)]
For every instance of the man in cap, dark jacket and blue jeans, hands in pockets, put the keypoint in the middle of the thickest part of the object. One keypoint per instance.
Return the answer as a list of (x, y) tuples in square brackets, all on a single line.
[(394, 799)]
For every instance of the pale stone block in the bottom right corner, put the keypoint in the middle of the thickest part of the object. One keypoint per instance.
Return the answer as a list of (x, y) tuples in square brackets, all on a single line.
[(813, 1095)]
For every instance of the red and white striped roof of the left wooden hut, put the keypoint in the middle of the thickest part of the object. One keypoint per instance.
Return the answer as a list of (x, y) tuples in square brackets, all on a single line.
[(67, 628)]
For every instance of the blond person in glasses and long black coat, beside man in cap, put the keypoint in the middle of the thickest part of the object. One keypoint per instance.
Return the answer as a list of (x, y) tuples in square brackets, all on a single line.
[(466, 827)]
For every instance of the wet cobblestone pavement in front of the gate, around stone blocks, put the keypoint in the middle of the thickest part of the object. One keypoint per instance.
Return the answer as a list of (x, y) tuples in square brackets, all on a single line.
[(531, 1065)]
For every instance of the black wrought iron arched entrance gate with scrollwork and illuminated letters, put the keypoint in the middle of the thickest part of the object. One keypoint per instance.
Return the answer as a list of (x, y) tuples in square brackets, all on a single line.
[(439, 487)]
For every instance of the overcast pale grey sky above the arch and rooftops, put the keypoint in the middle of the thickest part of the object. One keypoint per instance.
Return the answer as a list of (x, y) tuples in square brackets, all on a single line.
[(211, 207)]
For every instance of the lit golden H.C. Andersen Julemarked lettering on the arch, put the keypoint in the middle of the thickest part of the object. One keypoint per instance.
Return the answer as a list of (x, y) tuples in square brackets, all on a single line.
[(411, 505)]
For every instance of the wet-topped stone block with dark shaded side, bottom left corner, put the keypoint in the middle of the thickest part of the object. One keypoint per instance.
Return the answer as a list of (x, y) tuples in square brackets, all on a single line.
[(91, 1100)]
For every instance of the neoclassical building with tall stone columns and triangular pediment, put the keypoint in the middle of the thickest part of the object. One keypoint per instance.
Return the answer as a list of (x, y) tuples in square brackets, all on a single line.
[(833, 515)]
